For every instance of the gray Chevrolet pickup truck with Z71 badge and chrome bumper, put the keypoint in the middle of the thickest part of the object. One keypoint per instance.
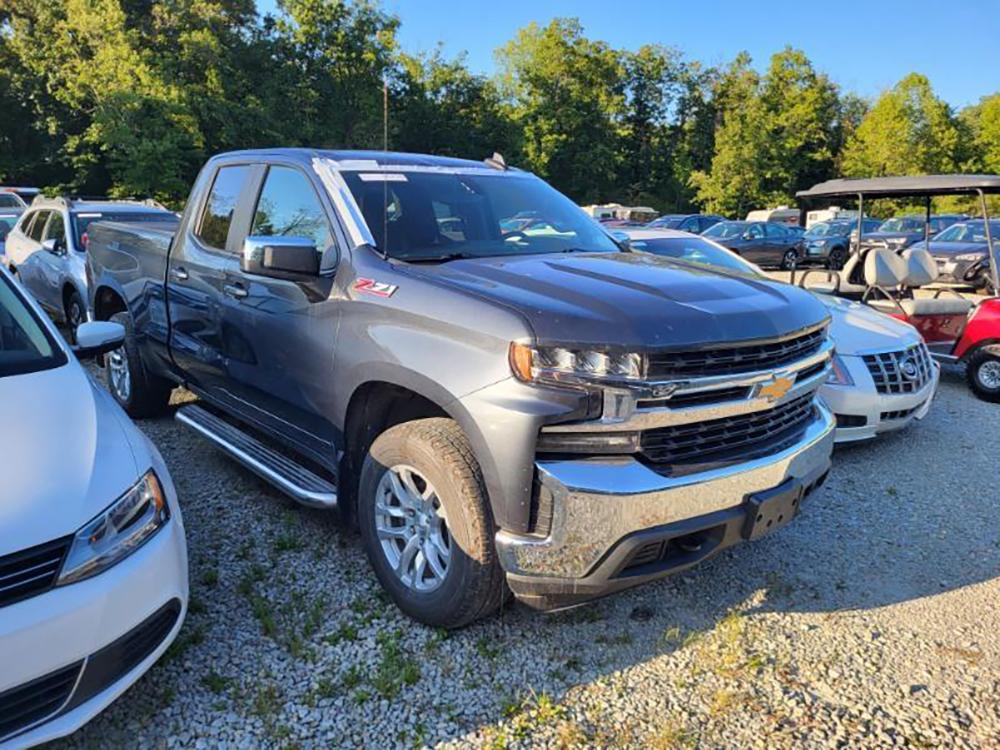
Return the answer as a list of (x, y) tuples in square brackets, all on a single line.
[(456, 357)]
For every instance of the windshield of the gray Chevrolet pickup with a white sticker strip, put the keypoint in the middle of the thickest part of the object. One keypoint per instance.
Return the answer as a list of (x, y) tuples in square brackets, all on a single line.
[(433, 216)]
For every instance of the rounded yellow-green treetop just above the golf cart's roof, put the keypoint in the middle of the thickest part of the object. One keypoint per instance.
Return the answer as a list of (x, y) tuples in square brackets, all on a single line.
[(909, 130)]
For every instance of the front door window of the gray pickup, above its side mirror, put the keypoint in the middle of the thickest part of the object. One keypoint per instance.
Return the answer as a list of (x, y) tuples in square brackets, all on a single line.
[(288, 206)]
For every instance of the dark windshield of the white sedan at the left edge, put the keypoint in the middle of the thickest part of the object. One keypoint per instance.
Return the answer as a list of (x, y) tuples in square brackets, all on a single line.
[(25, 346)]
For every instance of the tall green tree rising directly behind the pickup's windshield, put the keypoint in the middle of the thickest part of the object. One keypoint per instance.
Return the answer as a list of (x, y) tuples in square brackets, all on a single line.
[(566, 93)]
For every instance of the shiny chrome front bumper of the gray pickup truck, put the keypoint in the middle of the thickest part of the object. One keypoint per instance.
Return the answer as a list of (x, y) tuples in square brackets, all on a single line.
[(598, 503)]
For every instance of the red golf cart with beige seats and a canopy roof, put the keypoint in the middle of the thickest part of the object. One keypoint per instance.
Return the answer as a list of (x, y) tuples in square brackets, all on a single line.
[(956, 329)]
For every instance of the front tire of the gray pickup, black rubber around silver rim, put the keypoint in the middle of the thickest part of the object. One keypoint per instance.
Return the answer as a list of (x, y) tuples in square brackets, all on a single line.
[(473, 585)]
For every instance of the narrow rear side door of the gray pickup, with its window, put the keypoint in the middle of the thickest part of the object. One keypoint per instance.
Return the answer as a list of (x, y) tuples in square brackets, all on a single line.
[(200, 265)]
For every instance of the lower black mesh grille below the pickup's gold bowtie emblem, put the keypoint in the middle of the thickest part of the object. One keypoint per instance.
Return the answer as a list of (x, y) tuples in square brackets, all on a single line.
[(739, 437)]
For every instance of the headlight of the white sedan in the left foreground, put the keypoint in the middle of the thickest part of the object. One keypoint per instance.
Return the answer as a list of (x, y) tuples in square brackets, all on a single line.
[(117, 531)]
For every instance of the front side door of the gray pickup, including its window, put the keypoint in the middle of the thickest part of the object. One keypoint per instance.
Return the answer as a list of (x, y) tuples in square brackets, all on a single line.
[(281, 376)]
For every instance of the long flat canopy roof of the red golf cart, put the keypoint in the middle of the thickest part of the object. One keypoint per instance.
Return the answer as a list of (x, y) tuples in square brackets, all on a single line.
[(889, 187)]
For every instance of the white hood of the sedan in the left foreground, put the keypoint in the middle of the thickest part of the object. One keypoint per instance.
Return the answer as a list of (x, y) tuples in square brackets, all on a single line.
[(66, 453)]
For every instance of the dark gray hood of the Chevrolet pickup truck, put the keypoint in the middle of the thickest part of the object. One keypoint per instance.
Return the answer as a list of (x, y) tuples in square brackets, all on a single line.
[(633, 300)]
